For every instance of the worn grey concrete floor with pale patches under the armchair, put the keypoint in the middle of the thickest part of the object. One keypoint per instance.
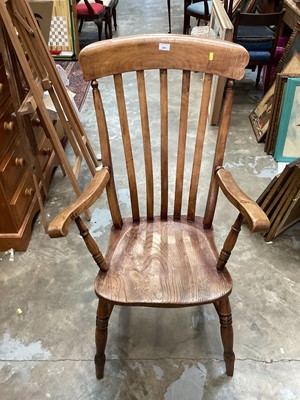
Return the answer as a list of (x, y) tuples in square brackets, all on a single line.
[(46, 351)]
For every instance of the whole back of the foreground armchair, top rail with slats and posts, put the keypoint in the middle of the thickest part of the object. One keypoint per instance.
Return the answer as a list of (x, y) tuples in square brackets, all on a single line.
[(148, 53)]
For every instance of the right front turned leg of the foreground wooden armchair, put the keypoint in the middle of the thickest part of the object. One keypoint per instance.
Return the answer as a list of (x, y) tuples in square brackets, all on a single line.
[(224, 312)]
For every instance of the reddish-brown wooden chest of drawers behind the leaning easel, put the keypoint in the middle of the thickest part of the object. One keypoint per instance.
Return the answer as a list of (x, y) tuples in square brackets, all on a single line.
[(18, 198)]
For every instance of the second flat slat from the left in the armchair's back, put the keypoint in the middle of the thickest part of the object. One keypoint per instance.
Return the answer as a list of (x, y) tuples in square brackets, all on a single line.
[(146, 144)]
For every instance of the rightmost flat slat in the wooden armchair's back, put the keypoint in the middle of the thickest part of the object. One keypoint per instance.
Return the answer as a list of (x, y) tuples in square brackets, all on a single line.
[(202, 122)]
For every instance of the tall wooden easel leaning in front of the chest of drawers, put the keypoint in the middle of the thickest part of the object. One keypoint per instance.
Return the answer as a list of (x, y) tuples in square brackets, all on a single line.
[(21, 30)]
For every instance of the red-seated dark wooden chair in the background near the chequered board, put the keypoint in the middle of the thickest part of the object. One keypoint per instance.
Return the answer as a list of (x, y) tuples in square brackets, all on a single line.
[(91, 12)]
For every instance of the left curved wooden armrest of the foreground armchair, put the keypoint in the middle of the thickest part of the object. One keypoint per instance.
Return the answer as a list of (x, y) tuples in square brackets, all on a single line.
[(59, 226)]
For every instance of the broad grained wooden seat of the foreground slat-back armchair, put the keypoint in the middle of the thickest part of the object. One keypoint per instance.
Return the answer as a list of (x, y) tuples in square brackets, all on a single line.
[(162, 263)]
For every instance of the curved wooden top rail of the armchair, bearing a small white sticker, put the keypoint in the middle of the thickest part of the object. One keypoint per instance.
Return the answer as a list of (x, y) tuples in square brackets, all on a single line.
[(163, 51)]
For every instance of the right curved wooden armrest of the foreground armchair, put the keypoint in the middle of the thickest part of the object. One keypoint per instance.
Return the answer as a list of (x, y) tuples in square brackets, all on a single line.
[(250, 210)]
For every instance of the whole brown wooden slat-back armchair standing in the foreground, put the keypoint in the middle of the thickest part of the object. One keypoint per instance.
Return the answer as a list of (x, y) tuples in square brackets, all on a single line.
[(167, 258)]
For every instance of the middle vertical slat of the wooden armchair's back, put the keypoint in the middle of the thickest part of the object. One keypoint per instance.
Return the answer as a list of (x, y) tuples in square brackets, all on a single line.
[(164, 143)]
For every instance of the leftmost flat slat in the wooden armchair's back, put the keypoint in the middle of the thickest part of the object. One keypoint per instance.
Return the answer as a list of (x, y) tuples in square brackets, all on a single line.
[(127, 147)]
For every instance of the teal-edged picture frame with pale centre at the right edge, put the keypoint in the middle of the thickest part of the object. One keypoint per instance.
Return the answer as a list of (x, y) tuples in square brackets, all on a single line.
[(288, 139)]
